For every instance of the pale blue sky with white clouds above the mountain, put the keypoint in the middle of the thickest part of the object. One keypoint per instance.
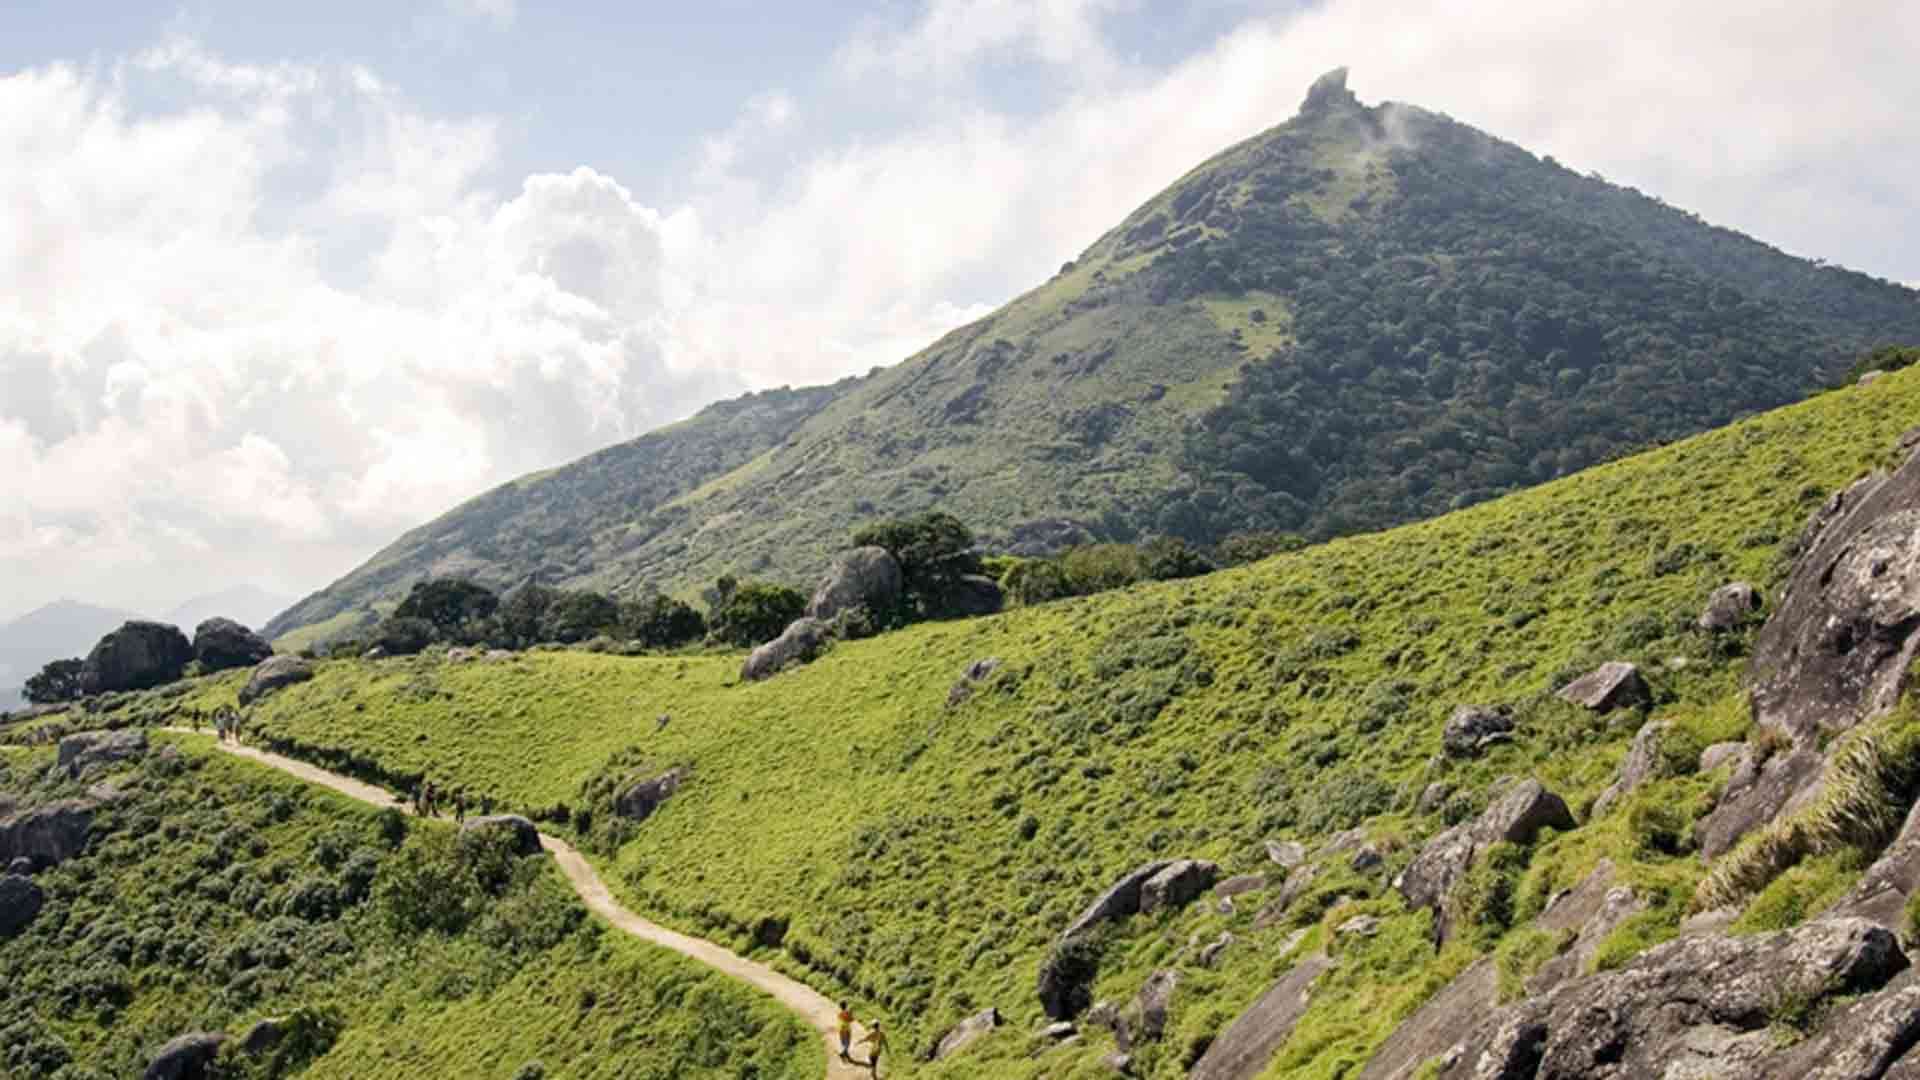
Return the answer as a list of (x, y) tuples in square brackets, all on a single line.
[(281, 282)]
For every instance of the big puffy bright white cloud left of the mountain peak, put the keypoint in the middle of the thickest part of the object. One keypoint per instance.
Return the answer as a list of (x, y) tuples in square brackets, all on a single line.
[(203, 381)]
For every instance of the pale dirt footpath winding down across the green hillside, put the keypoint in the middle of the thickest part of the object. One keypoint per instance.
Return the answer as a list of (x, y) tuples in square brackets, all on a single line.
[(809, 1004)]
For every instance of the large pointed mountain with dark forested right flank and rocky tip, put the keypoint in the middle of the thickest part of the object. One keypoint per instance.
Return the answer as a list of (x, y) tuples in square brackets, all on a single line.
[(1360, 318)]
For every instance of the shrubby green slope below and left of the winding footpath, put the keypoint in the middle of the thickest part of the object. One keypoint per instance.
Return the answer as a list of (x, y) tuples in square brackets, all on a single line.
[(222, 893)]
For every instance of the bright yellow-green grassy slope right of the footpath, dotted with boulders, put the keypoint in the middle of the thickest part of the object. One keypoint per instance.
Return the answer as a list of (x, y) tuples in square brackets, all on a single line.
[(926, 856)]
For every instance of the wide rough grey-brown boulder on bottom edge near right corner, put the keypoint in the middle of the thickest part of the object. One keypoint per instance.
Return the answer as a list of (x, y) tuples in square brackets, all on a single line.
[(1700, 1006)]
